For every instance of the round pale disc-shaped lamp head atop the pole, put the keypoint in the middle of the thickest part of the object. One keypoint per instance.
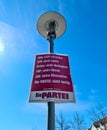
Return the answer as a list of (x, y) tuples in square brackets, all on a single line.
[(51, 23)]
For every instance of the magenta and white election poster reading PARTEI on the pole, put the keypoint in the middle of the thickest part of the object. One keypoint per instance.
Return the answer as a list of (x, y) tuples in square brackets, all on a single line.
[(51, 81)]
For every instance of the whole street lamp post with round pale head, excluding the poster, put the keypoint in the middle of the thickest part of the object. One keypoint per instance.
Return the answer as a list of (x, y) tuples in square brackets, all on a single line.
[(51, 25)]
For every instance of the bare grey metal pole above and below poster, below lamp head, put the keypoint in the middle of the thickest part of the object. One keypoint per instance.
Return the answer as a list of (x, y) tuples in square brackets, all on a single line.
[(51, 105)]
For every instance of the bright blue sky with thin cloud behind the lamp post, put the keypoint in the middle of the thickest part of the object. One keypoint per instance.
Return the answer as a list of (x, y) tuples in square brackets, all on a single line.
[(85, 41)]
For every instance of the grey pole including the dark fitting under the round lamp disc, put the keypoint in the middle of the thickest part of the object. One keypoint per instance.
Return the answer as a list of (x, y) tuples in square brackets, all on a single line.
[(51, 105)]
